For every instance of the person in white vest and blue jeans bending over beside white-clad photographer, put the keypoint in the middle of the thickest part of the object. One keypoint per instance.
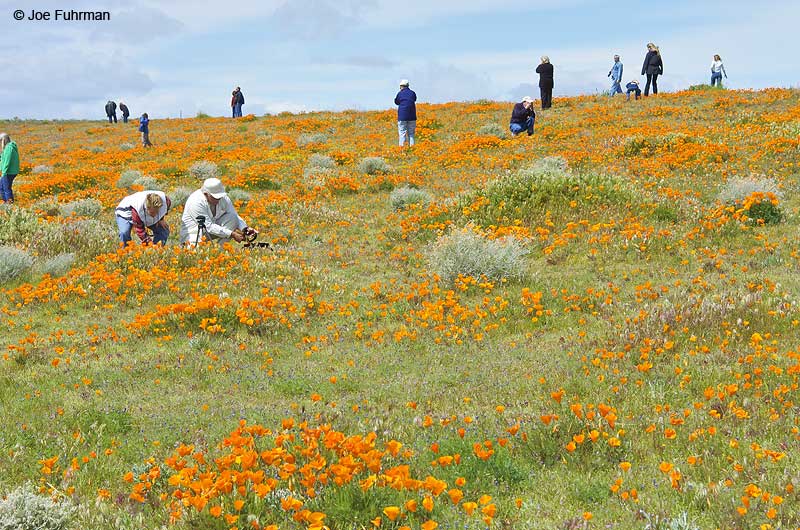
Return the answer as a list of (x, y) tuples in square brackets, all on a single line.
[(142, 211)]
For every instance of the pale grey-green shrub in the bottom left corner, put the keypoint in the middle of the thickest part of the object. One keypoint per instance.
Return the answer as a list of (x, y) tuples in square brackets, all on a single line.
[(24, 509)]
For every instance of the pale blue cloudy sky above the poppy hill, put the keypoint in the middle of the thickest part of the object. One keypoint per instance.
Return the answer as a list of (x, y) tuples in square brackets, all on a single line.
[(178, 57)]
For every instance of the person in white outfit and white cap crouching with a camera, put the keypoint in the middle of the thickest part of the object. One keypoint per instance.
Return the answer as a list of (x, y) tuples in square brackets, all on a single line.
[(211, 207)]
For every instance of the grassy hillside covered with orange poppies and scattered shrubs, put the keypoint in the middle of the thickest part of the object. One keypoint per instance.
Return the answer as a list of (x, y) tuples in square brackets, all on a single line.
[(596, 327)]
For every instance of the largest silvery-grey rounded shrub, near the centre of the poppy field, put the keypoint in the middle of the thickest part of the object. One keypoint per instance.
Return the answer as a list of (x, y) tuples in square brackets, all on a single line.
[(465, 252)]
